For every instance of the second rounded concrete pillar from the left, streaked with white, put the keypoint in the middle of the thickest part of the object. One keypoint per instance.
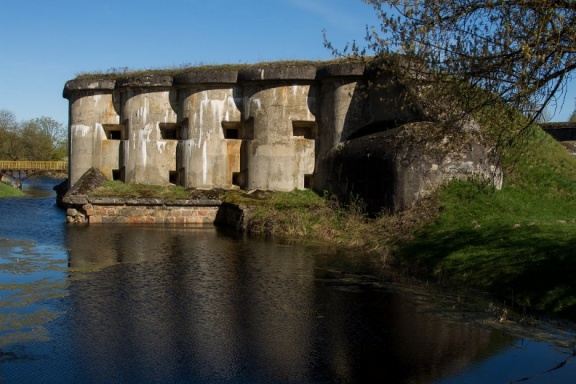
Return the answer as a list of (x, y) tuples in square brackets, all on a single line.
[(149, 116)]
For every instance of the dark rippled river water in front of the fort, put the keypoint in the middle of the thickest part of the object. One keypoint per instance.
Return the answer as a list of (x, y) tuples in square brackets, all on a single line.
[(156, 304)]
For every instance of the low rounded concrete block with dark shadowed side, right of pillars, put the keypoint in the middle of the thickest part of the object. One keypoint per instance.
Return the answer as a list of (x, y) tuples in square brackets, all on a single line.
[(392, 169)]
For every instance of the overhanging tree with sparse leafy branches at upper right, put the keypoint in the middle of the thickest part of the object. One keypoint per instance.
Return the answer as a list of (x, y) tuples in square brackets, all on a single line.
[(521, 52)]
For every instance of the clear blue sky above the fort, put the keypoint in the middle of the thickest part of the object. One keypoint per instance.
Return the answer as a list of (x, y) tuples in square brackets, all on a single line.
[(45, 43)]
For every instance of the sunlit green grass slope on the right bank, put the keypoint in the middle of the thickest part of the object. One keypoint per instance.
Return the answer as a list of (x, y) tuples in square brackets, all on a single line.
[(519, 242)]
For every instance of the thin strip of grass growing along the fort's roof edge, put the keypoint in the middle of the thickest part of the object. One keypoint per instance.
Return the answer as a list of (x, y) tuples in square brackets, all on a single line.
[(120, 72)]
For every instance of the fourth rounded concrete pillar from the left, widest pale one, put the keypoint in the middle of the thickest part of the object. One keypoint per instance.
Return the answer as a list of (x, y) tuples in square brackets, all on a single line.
[(279, 127)]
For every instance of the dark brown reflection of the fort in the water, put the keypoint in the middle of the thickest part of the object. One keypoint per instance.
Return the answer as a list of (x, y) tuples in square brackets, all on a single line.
[(216, 305)]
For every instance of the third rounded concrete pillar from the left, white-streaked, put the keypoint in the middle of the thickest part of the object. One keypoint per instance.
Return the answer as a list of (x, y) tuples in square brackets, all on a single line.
[(209, 114)]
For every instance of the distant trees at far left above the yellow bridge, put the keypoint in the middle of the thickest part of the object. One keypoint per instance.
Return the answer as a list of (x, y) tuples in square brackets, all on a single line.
[(38, 139)]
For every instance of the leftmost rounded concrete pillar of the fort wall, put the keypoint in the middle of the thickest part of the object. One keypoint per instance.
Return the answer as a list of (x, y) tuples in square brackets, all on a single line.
[(92, 107)]
